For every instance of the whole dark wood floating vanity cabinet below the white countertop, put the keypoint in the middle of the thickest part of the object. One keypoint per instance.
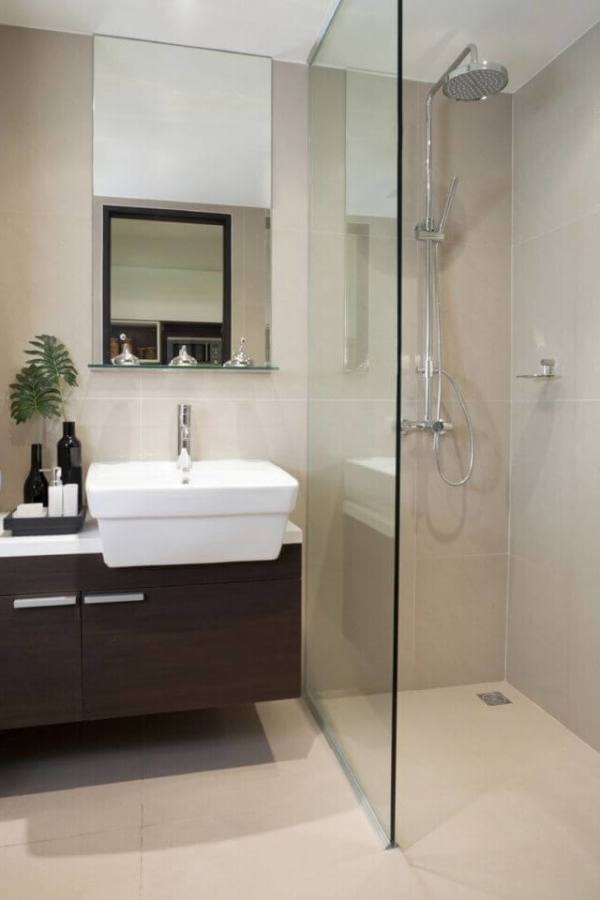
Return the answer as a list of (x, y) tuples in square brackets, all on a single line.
[(101, 643)]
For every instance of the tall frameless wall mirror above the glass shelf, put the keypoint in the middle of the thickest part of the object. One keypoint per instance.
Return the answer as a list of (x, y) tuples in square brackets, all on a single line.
[(182, 196)]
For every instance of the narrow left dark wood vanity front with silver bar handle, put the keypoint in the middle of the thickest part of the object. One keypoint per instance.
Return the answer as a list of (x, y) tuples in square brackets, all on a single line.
[(40, 660)]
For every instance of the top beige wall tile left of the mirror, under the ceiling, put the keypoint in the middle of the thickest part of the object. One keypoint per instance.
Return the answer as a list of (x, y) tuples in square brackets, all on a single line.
[(46, 152)]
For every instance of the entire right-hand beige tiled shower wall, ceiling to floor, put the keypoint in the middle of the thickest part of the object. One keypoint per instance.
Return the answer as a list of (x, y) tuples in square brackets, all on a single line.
[(554, 631)]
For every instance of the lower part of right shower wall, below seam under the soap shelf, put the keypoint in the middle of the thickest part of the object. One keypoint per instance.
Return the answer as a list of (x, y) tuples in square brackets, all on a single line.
[(554, 632)]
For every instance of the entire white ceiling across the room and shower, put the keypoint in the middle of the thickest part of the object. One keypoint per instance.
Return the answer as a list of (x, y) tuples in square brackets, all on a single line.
[(525, 35)]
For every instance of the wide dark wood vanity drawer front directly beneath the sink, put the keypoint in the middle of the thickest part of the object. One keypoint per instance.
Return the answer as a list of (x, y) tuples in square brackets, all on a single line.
[(177, 648)]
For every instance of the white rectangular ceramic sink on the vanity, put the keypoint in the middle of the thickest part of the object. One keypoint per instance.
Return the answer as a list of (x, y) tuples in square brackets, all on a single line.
[(230, 511)]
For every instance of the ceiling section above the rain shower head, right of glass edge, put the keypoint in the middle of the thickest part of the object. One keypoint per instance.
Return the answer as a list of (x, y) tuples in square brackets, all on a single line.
[(524, 35)]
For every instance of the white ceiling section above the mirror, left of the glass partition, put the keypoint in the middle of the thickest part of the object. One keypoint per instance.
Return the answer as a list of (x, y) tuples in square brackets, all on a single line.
[(283, 29)]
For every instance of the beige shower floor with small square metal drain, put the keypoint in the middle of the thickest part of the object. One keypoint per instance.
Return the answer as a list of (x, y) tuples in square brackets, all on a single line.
[(501, 801)]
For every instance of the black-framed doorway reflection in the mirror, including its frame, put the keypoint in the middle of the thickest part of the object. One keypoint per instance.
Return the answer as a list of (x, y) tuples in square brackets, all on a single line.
[(166, 283)]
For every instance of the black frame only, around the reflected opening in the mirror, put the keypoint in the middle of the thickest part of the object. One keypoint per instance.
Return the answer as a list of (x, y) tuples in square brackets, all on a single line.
[(110, 212)]
